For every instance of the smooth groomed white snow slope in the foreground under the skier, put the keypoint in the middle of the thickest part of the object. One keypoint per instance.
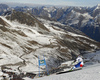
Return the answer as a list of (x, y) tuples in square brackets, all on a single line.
[(90, 72)]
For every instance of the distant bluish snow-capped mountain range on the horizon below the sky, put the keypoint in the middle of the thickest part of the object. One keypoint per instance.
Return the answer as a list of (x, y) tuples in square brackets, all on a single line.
[(86, 19)]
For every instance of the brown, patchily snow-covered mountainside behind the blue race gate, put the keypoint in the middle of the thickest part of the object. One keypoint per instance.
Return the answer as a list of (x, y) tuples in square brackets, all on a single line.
[(23, 38)]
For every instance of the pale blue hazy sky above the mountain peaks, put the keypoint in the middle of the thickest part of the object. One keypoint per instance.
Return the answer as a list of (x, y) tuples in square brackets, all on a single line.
[(56, 2)]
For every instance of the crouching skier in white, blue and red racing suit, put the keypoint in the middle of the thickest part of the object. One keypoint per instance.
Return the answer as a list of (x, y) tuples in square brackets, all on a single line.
[(79, 62)]
